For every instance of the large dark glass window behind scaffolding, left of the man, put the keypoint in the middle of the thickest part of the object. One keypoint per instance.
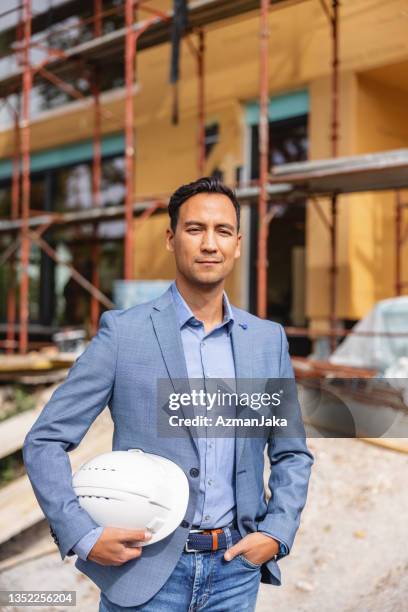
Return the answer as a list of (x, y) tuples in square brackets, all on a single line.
[(54, 297)]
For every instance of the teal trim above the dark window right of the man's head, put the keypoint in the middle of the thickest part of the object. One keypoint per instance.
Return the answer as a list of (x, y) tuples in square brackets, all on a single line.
[(285, 106)]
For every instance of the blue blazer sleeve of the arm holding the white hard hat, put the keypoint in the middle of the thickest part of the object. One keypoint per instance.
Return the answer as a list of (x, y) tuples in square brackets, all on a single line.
[(62, 424)]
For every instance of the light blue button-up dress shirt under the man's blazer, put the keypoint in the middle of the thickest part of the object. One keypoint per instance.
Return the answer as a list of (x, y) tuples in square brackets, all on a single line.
[(207, 355)]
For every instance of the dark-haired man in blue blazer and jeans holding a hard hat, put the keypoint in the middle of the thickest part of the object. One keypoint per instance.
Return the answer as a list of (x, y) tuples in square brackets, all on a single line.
[(190, 332)]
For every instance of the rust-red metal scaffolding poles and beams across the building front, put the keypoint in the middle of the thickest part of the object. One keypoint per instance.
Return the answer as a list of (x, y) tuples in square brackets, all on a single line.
[(138, 33)]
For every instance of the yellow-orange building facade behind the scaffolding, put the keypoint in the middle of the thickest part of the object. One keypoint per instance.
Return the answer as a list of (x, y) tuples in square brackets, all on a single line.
[(373, 114)]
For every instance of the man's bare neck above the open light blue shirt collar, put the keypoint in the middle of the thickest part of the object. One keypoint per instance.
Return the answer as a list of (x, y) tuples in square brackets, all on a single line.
[(205, 303)]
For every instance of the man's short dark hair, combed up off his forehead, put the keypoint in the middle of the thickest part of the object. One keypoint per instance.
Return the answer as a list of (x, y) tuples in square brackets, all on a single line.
[(206, 184)]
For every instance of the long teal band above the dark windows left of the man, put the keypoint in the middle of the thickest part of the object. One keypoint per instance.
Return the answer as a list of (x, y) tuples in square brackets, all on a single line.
[(113, 144)]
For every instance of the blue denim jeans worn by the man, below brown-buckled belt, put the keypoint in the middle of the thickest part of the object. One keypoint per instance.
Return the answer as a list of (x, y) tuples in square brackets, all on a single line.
[(202, 581)]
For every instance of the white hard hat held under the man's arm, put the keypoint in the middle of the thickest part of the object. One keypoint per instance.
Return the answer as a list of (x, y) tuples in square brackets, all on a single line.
[(133, 490)]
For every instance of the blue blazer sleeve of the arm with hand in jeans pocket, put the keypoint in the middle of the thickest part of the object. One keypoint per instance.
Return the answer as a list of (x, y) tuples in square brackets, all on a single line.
[(291, 463)]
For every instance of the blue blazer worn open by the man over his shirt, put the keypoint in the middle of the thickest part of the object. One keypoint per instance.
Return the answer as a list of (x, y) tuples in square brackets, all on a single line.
[(119, 368)]
